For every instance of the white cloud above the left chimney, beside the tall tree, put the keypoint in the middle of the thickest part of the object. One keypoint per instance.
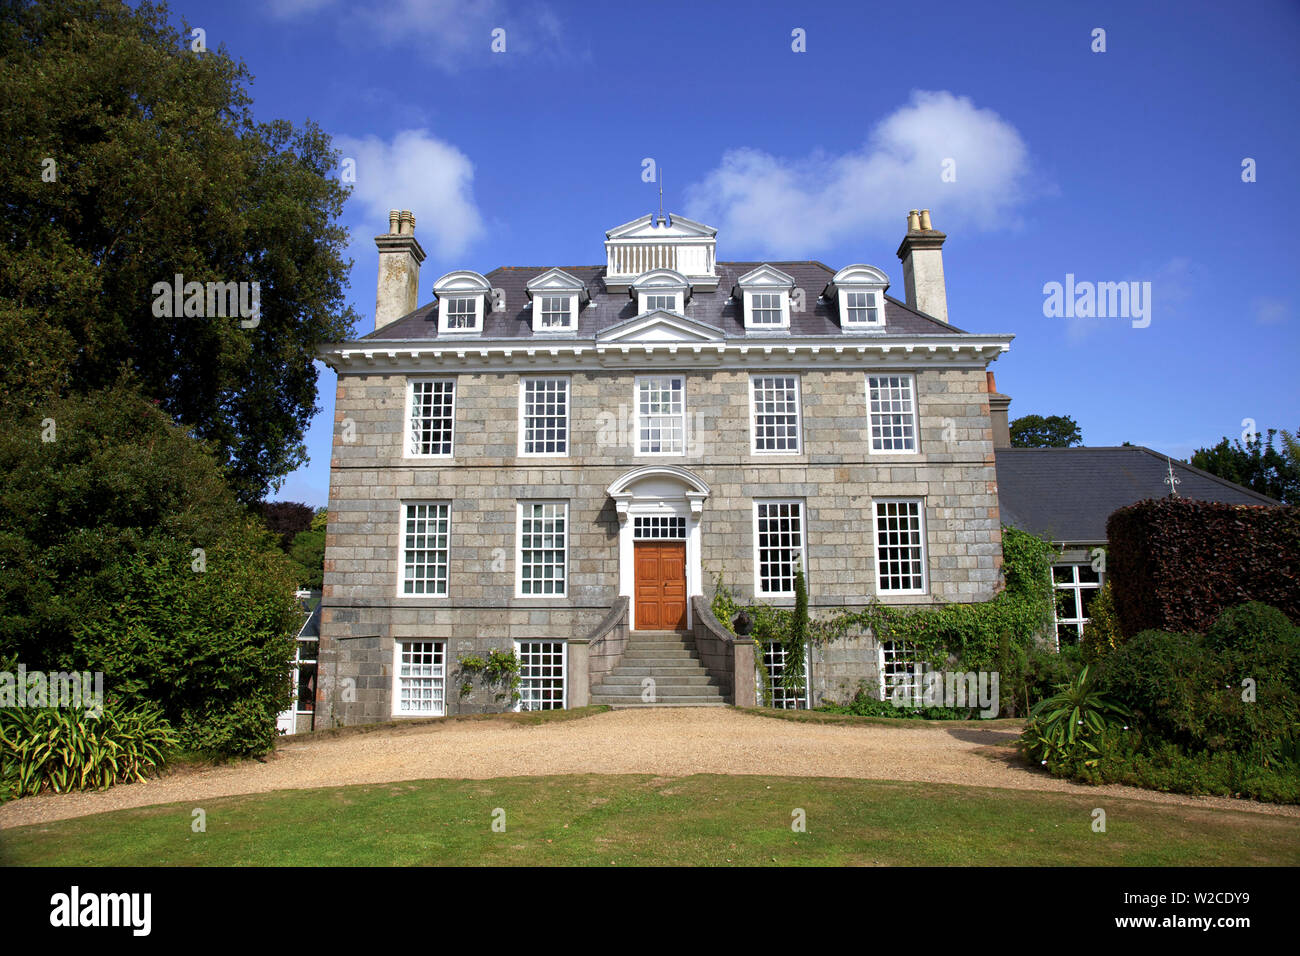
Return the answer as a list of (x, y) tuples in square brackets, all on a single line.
[(418, 172)]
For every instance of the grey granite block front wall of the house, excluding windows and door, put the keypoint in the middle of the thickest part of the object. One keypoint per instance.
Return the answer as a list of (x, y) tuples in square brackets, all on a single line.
[(834, 477)]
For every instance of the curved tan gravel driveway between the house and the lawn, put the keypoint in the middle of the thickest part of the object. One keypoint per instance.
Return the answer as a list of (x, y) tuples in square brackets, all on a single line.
[(664, 742)]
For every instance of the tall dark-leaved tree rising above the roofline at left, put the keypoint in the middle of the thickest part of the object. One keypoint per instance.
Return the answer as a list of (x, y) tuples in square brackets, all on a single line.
[(129, 159)]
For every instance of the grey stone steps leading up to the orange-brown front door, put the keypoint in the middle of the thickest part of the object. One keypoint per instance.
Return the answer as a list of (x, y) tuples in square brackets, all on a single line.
[(669, 657)]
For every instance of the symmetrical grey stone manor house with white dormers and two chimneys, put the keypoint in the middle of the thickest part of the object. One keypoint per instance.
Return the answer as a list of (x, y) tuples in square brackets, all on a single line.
[(562, 461)]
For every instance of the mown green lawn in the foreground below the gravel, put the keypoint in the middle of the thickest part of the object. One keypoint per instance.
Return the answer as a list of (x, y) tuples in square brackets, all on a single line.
[(704, 820)]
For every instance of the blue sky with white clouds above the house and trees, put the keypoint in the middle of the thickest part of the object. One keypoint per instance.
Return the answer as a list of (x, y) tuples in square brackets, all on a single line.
[(1117, 166)]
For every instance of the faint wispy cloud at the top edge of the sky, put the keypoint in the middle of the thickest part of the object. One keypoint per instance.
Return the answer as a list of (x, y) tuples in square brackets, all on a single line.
[(450, 34)]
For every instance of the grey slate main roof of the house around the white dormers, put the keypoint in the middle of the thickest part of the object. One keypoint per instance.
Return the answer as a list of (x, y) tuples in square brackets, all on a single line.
[(718, 309)]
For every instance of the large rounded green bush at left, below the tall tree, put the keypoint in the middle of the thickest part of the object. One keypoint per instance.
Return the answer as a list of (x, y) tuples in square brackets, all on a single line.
[(123, 551)]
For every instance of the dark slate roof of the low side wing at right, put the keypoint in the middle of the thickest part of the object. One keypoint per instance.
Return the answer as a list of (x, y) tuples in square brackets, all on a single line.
[(1068, 495)]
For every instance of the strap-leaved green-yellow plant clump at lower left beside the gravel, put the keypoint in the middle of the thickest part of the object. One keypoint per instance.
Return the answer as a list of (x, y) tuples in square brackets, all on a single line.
[(64, 750)]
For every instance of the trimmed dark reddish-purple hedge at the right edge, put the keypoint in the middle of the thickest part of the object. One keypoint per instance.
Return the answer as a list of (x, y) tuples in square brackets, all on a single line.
[(1176, 564)]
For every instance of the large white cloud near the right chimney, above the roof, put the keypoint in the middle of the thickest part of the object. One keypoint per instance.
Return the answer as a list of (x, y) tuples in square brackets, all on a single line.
[(796, 206)]
